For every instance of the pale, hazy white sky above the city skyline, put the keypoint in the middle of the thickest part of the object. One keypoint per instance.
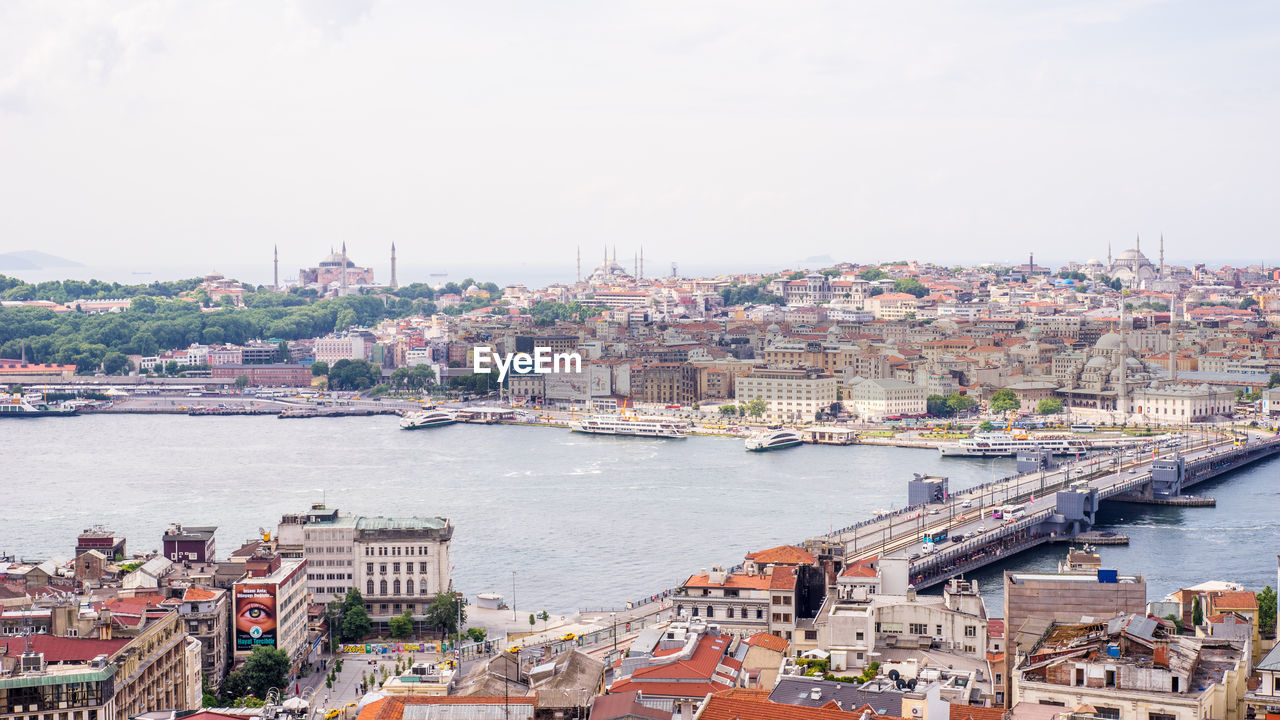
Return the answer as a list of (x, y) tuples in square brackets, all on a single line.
[(721, 133)]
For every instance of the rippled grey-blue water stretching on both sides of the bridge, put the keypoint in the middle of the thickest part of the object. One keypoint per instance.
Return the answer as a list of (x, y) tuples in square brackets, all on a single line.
[(582, 521)]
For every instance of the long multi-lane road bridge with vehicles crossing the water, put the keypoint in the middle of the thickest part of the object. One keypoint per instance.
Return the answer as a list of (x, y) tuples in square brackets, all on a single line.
[(944, 535)]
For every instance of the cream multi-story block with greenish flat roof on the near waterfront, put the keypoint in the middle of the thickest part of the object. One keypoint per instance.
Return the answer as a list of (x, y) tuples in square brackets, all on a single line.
[(396, 563)]
